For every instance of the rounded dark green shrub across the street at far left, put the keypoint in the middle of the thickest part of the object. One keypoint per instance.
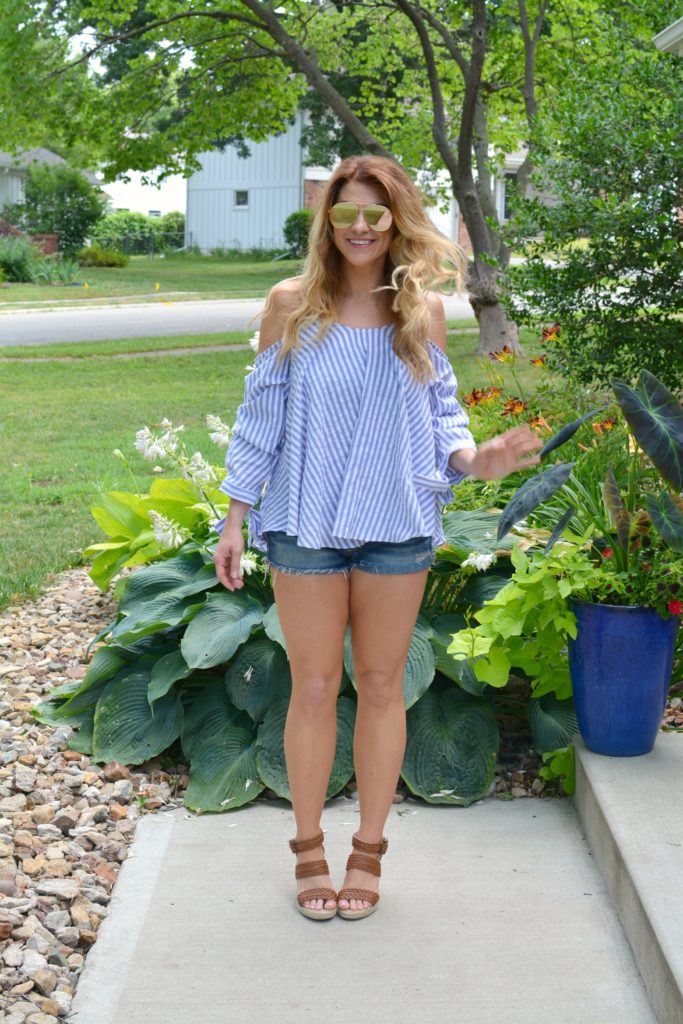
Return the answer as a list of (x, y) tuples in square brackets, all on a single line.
[(58, 200)]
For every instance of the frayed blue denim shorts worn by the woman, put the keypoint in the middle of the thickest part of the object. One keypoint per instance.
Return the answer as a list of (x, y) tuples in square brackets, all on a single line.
[(286, 556)]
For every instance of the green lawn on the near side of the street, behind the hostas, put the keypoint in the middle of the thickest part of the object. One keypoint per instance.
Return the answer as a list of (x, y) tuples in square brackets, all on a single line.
[(62, 420)]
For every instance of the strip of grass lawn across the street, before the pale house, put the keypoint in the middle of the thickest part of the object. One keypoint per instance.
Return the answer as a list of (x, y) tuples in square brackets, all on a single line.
[(209, 277)]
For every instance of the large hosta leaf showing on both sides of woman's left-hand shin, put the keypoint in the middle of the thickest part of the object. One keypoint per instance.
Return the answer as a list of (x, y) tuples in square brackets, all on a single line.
[(271, 750)]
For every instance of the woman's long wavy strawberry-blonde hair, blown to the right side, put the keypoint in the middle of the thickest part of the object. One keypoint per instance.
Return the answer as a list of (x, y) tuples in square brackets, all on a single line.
[(419, 259)]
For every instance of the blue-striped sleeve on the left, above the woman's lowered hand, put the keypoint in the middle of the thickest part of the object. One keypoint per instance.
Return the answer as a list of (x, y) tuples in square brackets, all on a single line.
[(260, 430)]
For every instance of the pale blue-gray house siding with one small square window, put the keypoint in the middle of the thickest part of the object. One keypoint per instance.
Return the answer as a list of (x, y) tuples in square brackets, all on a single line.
[(273, 181)]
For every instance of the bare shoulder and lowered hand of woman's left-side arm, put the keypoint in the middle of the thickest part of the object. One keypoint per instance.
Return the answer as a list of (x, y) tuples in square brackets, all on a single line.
[(228, 554)]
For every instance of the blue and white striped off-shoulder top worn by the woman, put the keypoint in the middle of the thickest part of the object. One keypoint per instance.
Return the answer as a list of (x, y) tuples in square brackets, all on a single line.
[(353, 448)]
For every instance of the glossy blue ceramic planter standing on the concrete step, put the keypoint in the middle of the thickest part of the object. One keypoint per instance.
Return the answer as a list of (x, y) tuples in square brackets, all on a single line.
[(621, 666)]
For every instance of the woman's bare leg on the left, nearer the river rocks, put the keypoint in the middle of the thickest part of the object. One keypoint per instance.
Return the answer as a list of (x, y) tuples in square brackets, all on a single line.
[(314, 614)]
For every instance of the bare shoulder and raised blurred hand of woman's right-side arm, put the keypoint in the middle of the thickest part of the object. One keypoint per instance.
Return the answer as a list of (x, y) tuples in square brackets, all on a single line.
[(509, 452)]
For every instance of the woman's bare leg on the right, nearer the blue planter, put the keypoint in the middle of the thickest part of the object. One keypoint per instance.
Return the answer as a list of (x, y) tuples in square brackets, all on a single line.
[(383, 613)]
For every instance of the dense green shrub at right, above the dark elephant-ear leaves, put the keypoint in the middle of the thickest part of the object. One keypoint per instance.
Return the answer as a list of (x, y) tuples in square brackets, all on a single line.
[(617, 180)]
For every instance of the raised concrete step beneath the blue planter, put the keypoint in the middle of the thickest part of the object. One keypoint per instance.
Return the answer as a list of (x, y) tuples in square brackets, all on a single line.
[(632, 816)]
